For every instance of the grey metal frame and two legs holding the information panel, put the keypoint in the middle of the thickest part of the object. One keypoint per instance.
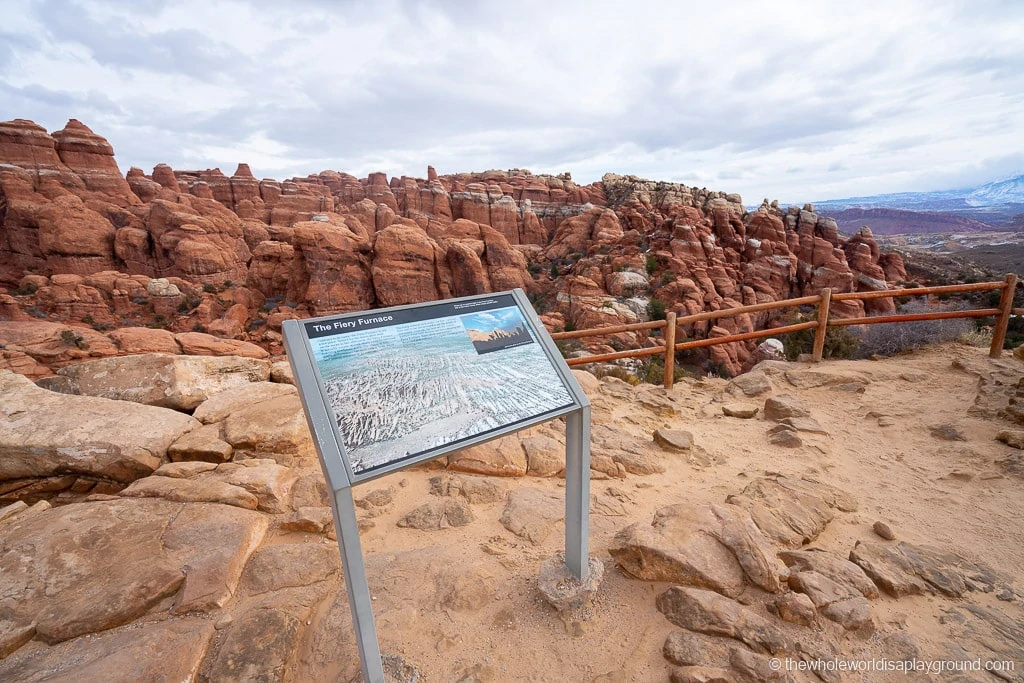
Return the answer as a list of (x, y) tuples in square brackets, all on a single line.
[(342, 478)]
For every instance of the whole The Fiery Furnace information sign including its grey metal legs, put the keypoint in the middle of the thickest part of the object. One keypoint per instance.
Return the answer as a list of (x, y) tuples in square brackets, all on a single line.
[(350, 370)]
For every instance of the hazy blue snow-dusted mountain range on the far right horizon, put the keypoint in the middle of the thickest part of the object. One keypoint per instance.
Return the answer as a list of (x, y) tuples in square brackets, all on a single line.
[(995, 203)]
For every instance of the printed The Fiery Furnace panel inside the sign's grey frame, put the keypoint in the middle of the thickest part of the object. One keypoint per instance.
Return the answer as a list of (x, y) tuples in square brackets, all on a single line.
[(410, 381)]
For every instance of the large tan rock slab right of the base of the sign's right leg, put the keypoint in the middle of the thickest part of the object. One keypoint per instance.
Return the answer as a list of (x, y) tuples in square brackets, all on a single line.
[(710, 546)]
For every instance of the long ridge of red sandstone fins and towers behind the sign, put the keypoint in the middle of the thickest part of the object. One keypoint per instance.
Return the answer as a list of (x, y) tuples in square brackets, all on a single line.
[(199, 251)]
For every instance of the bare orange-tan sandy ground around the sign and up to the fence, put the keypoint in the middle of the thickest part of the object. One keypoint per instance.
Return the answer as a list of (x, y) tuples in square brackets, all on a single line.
[(945, 494)]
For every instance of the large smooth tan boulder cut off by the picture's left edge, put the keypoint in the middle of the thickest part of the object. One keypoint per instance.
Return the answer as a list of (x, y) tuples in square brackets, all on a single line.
[(44, 433)]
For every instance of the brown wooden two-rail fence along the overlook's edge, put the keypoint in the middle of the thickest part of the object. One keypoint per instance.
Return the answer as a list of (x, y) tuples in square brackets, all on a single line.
[(823, 302)]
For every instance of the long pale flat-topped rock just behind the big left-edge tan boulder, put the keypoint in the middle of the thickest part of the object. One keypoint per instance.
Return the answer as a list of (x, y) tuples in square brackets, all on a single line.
[(180, 382)]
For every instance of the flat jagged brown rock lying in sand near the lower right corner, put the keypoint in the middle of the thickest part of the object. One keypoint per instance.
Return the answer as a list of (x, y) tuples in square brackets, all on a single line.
[(903, 569)]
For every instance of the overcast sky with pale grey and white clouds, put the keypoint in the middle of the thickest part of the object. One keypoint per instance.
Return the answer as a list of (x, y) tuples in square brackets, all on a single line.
[(794, 101)]
